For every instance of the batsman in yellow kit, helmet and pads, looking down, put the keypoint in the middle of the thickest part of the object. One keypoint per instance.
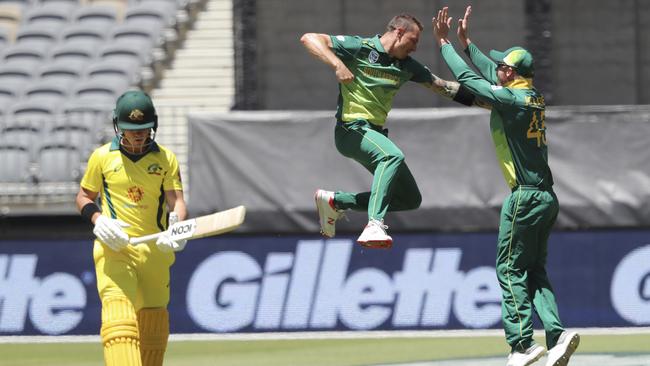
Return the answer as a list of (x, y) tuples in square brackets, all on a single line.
[(141, 193)]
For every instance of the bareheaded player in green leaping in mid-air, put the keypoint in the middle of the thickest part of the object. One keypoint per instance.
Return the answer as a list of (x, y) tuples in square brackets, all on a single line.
[(370, 71)]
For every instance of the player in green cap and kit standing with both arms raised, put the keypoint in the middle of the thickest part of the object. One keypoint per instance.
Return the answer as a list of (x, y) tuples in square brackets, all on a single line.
[(529, 212)]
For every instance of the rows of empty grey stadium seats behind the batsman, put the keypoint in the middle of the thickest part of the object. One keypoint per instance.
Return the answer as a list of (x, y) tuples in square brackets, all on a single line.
[(62, 65)]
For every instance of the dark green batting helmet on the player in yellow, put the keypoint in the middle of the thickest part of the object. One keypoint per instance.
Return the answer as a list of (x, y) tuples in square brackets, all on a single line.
[(134, 110)]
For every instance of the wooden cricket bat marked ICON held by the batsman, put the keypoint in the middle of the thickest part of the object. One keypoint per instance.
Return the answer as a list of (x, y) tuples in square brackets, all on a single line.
[(199, 227)]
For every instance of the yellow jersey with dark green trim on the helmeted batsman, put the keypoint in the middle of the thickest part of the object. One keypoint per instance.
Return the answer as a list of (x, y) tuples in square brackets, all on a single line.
[(132, 189)]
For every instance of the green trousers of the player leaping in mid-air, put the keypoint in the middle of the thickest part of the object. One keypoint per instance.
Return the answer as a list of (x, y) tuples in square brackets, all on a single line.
[(393, 186)]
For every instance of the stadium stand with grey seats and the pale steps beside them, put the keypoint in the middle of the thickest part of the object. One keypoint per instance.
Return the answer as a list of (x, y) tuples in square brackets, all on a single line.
[(64, 62)]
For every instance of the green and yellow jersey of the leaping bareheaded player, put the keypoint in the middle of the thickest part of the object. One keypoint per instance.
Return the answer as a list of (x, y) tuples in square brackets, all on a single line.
[(377, 78)]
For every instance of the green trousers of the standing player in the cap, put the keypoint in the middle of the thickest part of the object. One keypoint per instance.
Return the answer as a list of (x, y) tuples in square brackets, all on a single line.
[(527, 216)]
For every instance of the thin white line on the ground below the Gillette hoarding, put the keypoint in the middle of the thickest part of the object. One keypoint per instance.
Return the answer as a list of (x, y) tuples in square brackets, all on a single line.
[(317, 335)]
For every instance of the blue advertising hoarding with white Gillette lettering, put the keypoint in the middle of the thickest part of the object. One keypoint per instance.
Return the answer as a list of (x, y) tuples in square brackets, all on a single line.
[(304, 283)]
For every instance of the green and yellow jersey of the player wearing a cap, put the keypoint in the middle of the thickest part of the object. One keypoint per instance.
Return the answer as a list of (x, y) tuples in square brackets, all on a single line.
[(517, 118)]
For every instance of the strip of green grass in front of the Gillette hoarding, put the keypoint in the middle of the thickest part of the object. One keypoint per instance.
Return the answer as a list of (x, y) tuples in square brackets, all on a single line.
[(313, 352)]
